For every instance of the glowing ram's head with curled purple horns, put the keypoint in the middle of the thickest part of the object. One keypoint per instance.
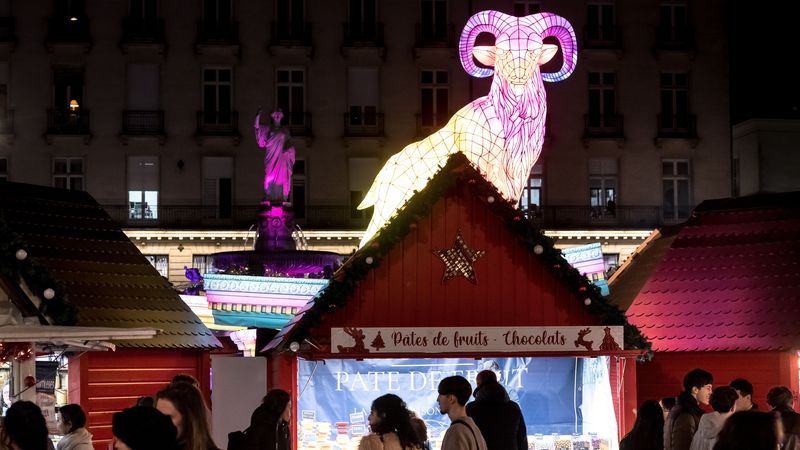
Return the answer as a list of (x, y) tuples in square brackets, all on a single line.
[(518, 48)]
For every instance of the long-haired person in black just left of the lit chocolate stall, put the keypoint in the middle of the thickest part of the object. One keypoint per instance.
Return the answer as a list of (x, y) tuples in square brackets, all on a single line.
[(269, 424)]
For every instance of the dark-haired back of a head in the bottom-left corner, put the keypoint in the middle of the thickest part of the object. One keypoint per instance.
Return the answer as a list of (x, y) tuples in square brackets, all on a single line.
[(24, 427)]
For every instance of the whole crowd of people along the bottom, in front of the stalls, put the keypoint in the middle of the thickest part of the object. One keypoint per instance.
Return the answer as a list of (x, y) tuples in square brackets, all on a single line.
[(177, 418)]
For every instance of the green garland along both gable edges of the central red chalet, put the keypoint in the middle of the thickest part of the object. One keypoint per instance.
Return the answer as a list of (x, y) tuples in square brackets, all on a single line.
[(344, 282)]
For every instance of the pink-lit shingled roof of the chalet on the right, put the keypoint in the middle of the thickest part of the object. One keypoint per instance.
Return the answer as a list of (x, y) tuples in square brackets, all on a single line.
[(729, 281)]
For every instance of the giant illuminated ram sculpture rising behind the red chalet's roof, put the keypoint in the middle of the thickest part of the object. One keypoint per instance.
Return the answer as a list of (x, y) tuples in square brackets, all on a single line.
[(501, 134)]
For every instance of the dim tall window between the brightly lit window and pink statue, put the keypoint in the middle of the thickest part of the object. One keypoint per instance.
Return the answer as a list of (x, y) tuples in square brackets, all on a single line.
[(218, 187)]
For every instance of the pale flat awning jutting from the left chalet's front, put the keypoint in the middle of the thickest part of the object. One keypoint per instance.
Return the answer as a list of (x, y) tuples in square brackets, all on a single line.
[(84, 338)]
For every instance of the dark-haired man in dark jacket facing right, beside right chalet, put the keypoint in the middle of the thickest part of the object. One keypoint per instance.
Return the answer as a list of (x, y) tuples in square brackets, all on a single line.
[(683, 418)]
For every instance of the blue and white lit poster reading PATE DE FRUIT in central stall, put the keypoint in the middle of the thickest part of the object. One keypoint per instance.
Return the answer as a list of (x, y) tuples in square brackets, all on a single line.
[(556, 395)]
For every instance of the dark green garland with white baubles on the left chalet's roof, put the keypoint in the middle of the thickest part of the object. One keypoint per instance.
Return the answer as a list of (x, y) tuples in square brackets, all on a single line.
[(36, 277)]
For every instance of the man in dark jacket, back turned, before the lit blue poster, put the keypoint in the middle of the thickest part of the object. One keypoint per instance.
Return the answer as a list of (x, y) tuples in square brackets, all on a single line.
[(499, 419)]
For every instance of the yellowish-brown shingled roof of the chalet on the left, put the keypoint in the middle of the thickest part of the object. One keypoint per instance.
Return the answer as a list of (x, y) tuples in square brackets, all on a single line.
[(98, 276)]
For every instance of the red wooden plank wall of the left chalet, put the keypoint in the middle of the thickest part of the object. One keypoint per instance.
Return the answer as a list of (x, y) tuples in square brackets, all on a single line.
[(106, 382)]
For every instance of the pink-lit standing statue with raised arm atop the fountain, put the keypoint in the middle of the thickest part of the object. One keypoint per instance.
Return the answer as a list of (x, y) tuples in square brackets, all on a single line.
[(279, 156)]
